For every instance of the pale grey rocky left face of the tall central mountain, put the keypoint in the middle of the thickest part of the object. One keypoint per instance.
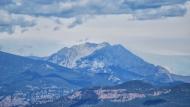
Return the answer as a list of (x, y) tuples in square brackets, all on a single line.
[(67, 57)]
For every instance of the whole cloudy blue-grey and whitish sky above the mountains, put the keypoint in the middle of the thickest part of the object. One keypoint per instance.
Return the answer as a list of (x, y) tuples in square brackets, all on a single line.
[(146, 27)]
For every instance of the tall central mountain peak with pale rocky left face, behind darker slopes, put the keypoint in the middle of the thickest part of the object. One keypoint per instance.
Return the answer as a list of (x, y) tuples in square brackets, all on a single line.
[(108, 63)]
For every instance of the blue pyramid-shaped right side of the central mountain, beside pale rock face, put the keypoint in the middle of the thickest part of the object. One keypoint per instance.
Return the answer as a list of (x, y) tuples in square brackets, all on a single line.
[(122, 65)]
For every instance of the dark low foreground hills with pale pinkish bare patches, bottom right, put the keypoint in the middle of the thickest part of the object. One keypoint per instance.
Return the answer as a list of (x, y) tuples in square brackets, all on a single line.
[(132, 94)]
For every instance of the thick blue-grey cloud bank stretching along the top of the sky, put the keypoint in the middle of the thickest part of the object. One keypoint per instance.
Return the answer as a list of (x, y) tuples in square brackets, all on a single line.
[(79, 9)]
